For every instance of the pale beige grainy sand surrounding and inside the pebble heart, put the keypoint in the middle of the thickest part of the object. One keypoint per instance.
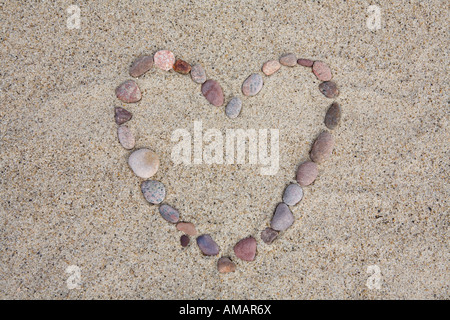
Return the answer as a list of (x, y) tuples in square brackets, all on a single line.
[(68, 197)]
